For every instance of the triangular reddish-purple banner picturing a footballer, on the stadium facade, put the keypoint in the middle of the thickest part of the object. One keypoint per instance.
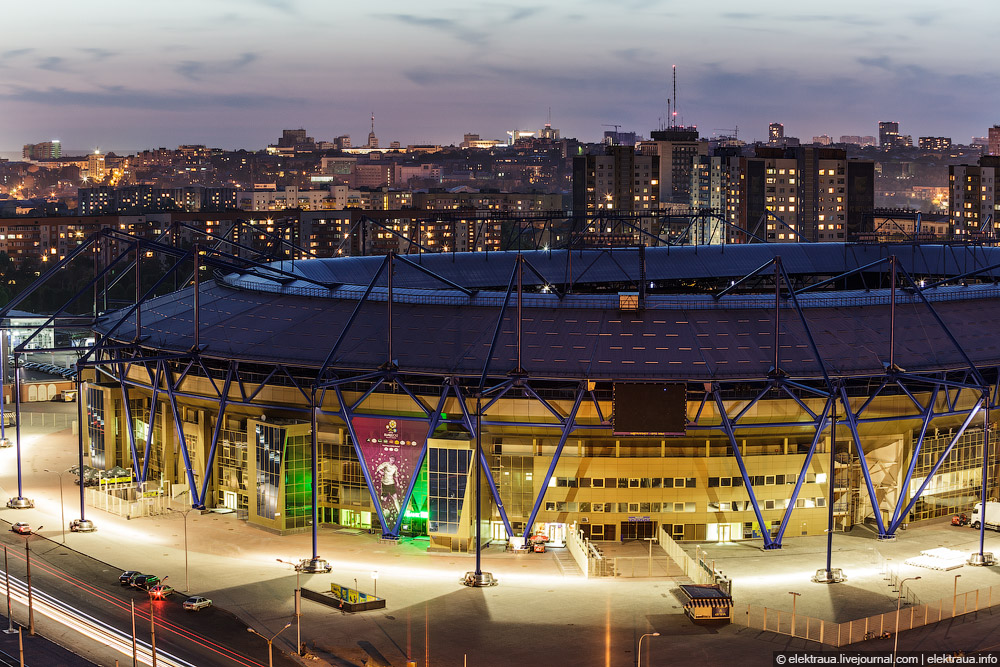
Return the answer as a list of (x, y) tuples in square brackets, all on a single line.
[(390, 449)]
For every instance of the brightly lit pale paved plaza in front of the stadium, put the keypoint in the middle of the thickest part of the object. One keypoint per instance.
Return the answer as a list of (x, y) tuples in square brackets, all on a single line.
[(541, 611)]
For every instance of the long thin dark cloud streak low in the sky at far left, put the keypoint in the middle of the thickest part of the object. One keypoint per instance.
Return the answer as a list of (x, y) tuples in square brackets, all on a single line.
[(120, 97)]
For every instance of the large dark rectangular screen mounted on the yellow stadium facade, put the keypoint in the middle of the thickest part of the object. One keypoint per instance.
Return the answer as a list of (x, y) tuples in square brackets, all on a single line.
[(649, 409)]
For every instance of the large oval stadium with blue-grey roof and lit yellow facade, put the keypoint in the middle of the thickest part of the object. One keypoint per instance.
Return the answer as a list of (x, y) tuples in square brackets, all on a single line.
[(741, 392)]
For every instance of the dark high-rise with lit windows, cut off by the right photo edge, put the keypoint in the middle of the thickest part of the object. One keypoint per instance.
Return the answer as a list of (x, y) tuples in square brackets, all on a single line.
[(974, 197)]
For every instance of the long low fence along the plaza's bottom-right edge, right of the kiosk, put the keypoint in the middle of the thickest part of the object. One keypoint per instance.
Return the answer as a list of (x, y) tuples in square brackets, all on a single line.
[(841, 634)]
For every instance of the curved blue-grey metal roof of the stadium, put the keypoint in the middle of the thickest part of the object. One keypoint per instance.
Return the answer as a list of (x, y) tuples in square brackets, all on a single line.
[(438, 330)]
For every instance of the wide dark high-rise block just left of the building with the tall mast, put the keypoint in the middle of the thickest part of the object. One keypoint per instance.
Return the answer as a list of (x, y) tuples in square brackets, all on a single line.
[(619, 180)]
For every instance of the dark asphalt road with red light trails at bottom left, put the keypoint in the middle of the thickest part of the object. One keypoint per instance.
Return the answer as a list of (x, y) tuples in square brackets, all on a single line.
[(209, 637)]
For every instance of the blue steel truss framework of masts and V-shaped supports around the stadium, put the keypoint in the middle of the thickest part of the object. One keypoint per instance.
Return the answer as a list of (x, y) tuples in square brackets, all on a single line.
[(164, 375)]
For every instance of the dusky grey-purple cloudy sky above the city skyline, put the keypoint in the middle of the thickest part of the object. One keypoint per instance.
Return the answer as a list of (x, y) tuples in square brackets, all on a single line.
[(131, 75)]
